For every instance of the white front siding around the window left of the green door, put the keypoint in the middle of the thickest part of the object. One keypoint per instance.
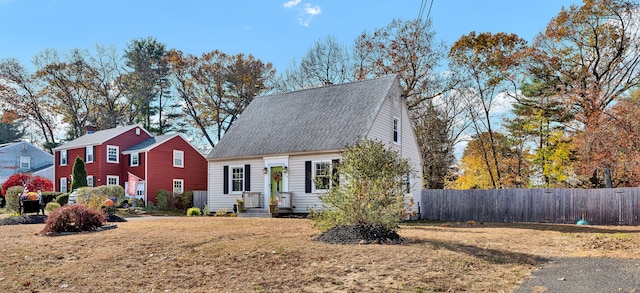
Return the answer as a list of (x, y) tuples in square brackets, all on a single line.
[(216, 199)]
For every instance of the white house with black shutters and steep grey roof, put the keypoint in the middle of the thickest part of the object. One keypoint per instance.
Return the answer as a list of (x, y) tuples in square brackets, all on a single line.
[(283, 143)]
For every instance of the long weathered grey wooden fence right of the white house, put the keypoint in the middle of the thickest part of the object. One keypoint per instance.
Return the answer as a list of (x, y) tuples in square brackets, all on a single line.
[(613, 206)]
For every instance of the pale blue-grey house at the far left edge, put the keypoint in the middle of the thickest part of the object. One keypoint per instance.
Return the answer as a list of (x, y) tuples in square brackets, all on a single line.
[(23, 157)]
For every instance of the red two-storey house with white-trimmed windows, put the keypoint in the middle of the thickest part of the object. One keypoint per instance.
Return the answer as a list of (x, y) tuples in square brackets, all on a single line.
[(165, 162)]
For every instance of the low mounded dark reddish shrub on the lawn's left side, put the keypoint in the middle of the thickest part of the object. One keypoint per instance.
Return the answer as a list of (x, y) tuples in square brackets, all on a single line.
[(73, 218)]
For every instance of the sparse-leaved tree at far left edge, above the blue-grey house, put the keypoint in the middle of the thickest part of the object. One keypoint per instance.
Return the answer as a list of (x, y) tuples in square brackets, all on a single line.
[(20, 93)]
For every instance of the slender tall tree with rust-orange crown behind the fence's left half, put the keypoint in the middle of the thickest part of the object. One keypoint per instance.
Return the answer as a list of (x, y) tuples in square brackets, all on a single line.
[(489, 63)]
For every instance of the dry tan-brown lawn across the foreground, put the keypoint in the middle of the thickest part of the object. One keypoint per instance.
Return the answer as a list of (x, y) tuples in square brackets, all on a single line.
[(221, 254)]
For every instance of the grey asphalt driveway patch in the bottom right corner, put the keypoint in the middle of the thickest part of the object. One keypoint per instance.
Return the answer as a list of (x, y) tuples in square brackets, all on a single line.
[(598, 275)]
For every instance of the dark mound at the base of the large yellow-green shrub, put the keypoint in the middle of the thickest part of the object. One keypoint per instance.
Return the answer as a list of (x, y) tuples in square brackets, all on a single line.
[(360, 234)]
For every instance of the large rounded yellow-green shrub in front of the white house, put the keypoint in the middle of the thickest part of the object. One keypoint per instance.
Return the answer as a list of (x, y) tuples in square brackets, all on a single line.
[(372, 190)]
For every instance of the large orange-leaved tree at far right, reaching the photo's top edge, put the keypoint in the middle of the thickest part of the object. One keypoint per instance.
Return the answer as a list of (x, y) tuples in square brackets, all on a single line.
[(593, 50)]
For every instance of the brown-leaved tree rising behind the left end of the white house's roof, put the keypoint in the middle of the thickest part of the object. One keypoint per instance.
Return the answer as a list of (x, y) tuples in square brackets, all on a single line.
[(215, 88)]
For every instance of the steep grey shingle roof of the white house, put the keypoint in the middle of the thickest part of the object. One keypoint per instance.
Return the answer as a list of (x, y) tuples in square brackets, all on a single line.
[(318, 119)]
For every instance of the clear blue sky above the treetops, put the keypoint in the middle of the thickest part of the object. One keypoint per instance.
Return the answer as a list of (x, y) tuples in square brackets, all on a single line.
[(274, 31)]
